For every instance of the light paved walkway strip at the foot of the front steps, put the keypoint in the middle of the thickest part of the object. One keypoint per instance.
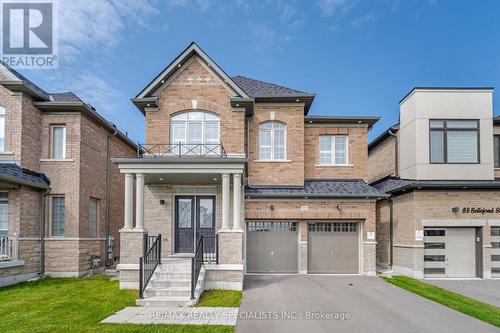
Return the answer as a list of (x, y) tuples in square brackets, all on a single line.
[(182, 316)]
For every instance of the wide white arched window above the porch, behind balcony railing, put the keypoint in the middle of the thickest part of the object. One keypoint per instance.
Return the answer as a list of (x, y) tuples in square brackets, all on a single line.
[(196, 132)]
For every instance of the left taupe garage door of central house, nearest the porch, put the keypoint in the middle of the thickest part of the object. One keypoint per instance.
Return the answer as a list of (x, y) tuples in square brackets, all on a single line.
[(272, 247)]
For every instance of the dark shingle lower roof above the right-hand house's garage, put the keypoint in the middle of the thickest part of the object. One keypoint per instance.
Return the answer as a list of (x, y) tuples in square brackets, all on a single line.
[(395, 185)]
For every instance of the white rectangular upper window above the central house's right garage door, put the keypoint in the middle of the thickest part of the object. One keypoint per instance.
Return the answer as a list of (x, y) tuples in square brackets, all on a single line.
[(333, 150)]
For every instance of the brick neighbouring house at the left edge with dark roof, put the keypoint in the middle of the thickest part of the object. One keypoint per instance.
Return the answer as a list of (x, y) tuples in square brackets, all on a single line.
[(60, 194)]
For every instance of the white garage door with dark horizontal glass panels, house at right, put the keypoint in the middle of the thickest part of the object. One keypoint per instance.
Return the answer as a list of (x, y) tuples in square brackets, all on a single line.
[(450, 252)]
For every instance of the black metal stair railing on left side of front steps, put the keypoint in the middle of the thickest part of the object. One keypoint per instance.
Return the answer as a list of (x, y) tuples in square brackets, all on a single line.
[(149, 261)]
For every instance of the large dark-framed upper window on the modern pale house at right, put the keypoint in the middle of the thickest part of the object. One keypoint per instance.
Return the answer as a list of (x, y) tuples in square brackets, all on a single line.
[(454, 141)]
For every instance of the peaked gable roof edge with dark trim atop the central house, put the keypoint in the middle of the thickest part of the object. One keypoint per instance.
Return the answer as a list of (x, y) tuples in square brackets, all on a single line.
[(191, 50)]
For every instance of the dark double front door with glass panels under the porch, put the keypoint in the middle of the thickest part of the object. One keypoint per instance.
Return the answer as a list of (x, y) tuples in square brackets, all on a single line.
[(194, 215)]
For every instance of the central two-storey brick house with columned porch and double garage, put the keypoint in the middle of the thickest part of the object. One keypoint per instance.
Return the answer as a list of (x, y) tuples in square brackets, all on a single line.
[(239, 179)]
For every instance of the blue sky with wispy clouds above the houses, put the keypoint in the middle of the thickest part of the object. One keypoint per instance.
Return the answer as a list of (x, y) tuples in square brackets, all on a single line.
[(359, 57)]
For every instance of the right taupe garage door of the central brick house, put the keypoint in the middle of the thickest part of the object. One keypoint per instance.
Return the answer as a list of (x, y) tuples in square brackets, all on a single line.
[(333, 247)]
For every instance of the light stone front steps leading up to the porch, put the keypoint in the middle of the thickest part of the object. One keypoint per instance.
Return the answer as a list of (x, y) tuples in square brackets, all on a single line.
[(170, 285)]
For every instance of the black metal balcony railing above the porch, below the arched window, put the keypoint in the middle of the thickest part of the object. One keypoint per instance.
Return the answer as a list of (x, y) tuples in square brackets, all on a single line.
[(180, 150)]
